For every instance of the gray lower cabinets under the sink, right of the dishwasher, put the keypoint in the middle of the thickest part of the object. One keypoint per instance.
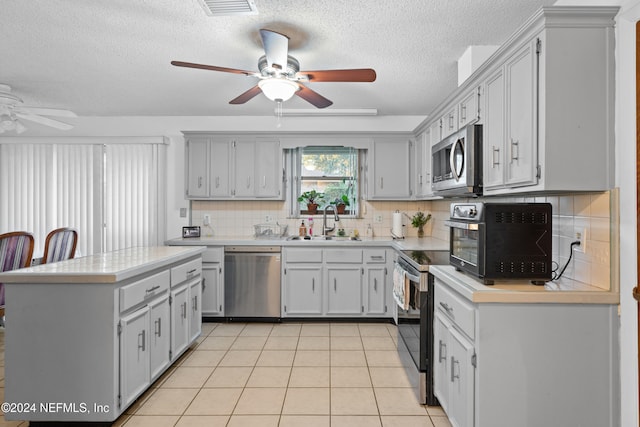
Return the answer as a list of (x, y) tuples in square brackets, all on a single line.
[(335, 282)]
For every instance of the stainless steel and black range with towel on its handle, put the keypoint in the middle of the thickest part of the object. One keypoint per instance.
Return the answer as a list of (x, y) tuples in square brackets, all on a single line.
[(415, 324)]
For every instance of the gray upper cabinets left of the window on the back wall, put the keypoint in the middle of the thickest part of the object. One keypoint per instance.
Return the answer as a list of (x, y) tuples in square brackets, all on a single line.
[(223, 167)]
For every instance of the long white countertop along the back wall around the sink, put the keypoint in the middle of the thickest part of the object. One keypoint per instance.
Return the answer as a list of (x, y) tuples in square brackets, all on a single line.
[(411, 243)]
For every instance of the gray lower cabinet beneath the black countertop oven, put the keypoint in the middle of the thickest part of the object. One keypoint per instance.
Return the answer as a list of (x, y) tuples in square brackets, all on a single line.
[(524, 364)]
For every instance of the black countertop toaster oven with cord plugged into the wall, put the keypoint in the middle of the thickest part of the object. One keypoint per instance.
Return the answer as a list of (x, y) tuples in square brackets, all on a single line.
[(501, 240)]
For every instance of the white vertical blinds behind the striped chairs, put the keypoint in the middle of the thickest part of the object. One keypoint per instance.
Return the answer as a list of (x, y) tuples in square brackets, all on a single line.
[(112, 194)]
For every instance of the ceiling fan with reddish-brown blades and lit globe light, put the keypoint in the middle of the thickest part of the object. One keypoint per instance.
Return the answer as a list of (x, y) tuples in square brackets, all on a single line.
[(280, 75)]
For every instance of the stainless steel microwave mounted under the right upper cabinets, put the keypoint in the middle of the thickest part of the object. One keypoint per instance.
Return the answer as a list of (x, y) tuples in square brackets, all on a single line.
[(457, 163)]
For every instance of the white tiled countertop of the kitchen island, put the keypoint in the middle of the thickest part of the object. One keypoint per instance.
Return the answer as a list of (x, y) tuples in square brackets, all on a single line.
[(108, 267)]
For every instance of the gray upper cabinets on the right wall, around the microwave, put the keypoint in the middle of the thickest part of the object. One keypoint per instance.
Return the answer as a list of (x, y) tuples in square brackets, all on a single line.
[(546, 101)]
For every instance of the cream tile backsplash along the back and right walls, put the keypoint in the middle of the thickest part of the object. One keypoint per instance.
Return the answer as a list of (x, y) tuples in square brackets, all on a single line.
[(594, 213)]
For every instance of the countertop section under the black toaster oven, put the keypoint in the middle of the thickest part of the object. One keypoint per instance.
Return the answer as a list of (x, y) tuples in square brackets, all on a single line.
[(563, 291)]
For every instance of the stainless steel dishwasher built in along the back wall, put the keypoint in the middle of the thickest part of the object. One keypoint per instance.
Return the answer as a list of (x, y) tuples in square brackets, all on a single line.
[(252, 281)]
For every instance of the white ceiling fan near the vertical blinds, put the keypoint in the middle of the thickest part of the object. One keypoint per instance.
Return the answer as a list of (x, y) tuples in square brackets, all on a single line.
[(11, 109)]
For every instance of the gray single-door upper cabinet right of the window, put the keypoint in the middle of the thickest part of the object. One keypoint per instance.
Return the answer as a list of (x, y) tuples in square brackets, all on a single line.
[(390, 169)]
